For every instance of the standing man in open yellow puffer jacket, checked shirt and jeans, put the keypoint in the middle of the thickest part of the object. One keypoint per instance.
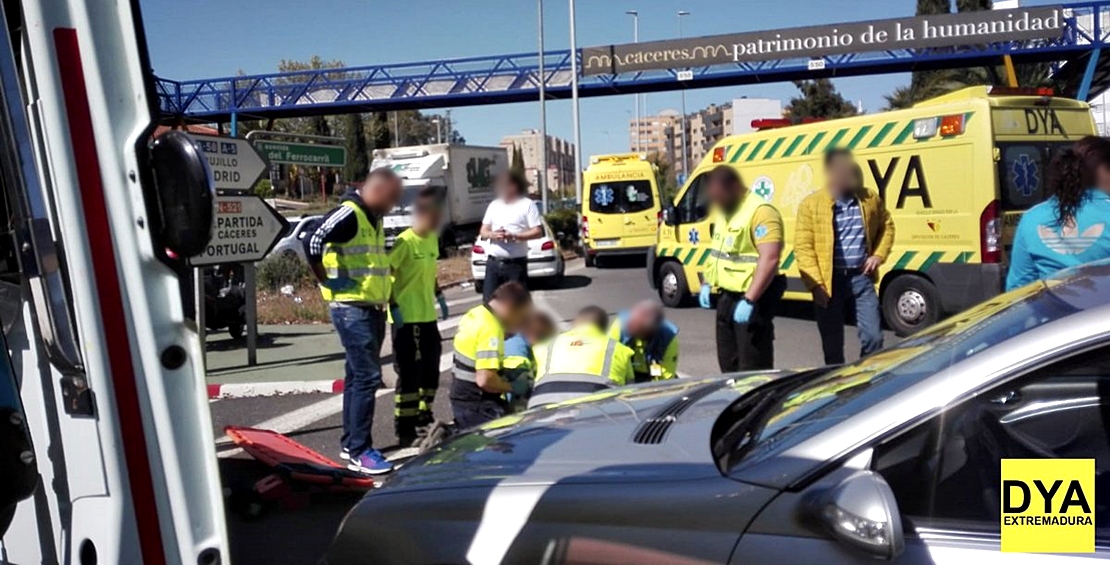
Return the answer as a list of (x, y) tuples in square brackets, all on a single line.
[(843, 237)]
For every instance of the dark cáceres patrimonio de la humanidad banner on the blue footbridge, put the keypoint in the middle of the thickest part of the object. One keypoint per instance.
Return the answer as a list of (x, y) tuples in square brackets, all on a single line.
[(916, 33)]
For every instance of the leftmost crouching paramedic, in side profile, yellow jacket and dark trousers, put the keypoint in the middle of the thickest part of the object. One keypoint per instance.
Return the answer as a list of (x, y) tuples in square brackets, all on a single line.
[(478, 386)]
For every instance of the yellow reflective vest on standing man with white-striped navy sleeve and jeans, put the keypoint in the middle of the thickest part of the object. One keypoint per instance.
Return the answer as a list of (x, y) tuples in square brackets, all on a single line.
[(362, 260)]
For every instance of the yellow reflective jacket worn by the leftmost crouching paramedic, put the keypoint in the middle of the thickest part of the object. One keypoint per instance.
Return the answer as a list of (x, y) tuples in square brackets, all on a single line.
[(480, 345)]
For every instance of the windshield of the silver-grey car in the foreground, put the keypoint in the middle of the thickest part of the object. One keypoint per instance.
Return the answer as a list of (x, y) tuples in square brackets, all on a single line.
[(808, 407)]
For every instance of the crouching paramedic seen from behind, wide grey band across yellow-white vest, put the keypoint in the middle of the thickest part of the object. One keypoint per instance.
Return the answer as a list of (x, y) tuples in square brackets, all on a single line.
[(581, 361)]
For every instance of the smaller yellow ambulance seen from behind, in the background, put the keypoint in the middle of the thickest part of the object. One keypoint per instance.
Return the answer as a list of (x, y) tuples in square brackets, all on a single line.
[(621, 207)]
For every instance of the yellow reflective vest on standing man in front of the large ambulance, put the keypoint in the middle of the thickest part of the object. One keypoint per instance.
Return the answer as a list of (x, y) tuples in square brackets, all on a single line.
[(734, 255)]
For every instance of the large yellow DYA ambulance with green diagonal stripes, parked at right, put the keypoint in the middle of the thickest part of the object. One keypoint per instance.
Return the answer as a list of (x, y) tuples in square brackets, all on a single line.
[(956, 174)]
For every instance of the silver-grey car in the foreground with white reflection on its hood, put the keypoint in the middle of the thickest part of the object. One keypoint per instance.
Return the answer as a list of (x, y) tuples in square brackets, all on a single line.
[(894, 458)]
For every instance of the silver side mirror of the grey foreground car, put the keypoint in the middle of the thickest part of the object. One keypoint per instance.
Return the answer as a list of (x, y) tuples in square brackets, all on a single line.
[(862, 512)]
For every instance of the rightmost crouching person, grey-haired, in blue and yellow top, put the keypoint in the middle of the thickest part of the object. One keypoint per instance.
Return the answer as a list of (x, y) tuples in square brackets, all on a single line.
[(653, 340)]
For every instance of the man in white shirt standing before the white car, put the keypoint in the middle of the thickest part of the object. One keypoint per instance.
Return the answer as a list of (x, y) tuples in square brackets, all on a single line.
[(510, 223)]
